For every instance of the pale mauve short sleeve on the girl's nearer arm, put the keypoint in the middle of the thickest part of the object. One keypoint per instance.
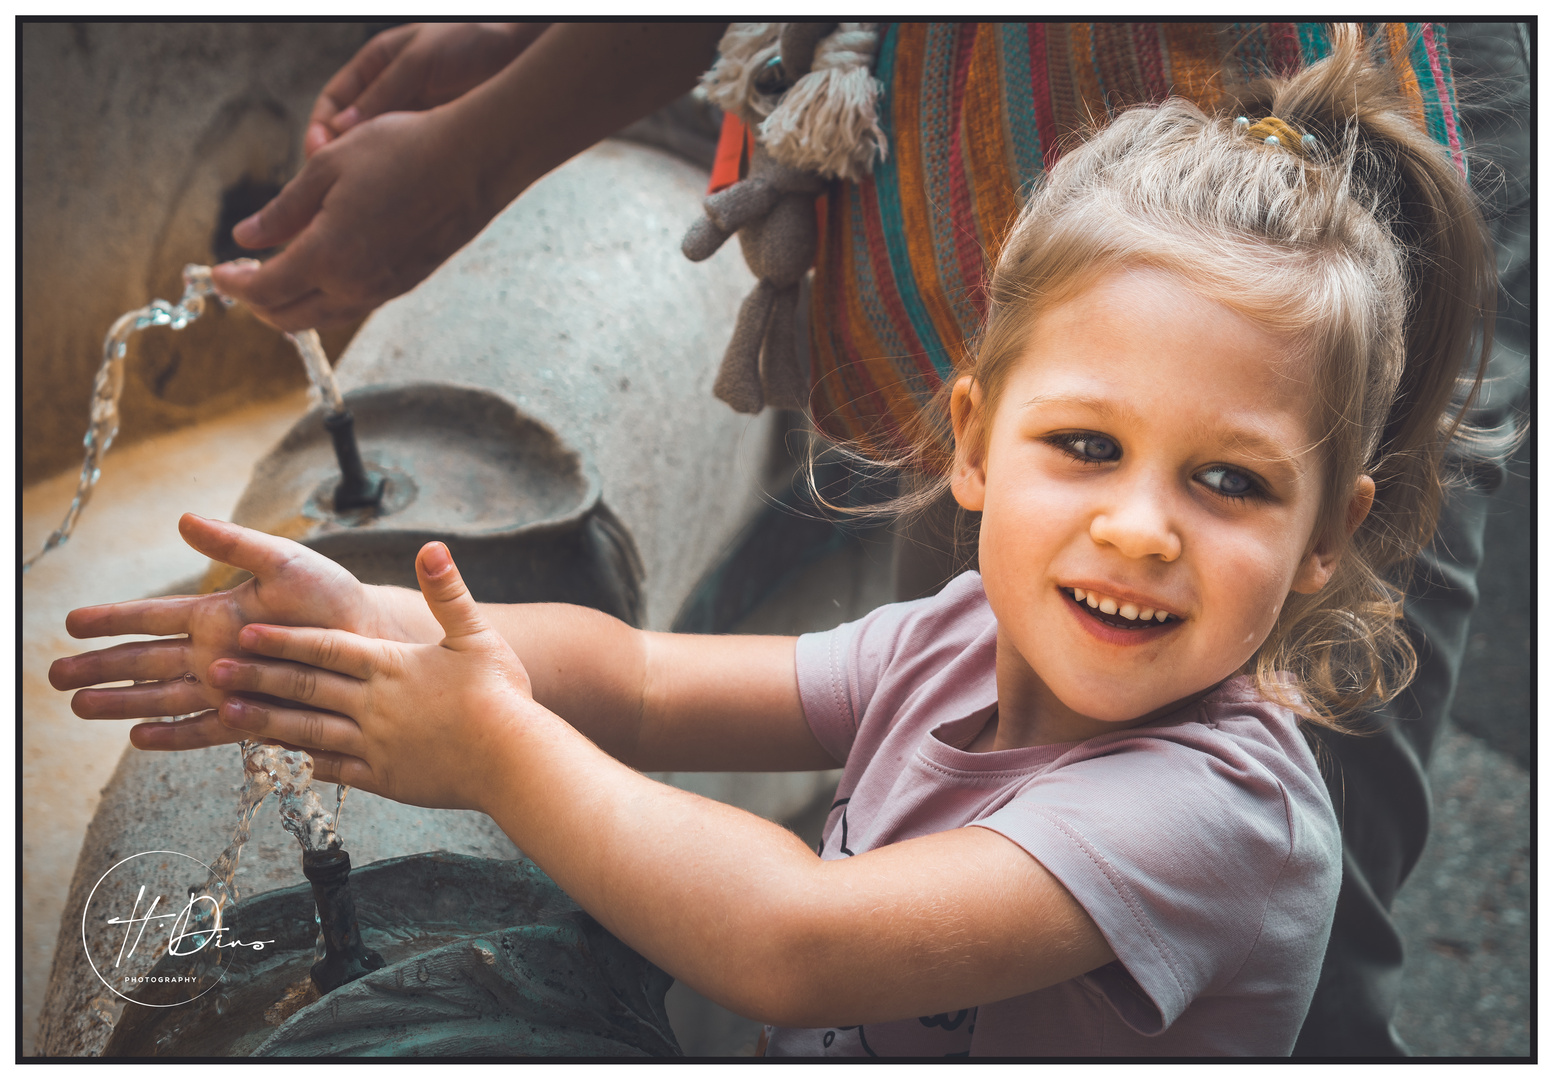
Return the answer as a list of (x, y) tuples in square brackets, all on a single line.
[(1183, 849)]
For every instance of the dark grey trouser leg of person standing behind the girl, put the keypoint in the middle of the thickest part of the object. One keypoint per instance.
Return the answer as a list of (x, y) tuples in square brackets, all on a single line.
[(1378, 782)]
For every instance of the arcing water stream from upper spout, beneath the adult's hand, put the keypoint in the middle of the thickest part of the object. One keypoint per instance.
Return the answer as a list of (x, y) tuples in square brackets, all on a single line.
[(109, 386)]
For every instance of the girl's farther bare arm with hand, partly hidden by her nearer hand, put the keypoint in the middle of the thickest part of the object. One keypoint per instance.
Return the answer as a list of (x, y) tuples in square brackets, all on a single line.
[(658, 702)]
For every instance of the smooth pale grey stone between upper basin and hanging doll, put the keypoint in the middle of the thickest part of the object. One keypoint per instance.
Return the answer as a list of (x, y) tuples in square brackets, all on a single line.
[(578, 307)]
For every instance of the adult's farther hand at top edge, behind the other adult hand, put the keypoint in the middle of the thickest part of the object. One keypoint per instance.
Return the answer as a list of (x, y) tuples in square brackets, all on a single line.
[(414, 68)]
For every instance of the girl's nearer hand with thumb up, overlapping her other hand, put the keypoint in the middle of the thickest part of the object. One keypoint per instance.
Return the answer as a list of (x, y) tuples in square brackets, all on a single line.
[(414, 723)]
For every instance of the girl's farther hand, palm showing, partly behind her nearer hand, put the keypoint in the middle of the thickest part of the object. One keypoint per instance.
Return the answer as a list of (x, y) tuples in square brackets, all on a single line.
[(291, 585)]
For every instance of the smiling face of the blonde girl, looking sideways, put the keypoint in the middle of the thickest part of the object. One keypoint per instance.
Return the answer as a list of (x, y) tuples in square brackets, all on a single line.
[(1150, 490)]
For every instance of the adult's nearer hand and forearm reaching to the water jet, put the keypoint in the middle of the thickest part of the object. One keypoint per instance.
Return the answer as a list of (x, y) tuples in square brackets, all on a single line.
[(378, 209)]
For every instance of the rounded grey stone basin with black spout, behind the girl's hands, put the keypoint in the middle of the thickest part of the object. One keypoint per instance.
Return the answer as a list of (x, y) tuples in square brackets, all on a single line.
[(518, 507)]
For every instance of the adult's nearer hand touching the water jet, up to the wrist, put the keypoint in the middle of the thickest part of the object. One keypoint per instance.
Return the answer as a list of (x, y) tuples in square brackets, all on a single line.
[(369, 218)]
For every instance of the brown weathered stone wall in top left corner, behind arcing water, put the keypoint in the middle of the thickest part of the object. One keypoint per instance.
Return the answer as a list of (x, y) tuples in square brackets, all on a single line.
[(131, 133)]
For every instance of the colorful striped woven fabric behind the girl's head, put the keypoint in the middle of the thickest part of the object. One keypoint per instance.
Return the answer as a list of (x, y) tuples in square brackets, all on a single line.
[(975, 113)]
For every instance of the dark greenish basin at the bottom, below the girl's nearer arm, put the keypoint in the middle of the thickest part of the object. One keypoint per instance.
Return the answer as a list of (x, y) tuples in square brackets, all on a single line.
[(485, 958)]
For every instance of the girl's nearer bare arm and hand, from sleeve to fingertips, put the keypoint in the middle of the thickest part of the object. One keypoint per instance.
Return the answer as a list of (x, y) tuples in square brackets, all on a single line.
[(728, 902)]
